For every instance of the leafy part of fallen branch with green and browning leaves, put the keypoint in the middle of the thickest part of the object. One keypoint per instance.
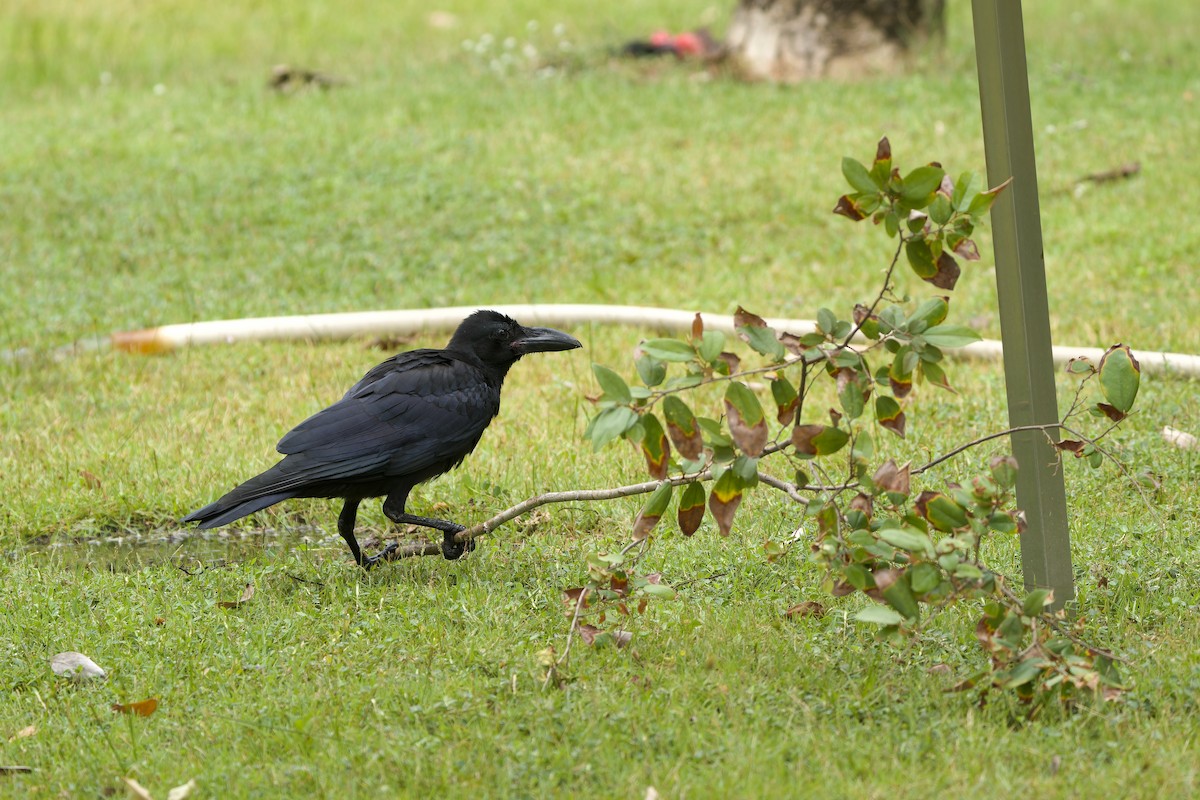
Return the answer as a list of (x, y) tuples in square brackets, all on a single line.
[(707, 422)]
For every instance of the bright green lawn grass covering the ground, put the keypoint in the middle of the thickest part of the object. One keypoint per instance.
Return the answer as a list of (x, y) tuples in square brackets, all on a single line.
[(431, 181)]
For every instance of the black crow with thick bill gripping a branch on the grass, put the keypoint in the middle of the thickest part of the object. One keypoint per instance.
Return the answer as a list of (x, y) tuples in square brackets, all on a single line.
[(411, 419)]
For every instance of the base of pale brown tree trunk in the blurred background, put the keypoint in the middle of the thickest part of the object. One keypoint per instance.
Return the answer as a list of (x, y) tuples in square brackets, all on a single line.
[(800, 40)]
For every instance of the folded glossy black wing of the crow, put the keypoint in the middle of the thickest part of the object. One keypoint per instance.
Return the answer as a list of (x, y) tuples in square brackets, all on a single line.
[(409, 414)]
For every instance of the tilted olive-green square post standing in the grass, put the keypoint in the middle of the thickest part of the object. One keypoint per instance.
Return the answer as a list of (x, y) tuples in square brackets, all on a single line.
[(1022, 286)]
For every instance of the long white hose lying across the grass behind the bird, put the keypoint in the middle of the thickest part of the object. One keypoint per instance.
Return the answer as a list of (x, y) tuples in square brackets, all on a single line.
[(401, 323)]
